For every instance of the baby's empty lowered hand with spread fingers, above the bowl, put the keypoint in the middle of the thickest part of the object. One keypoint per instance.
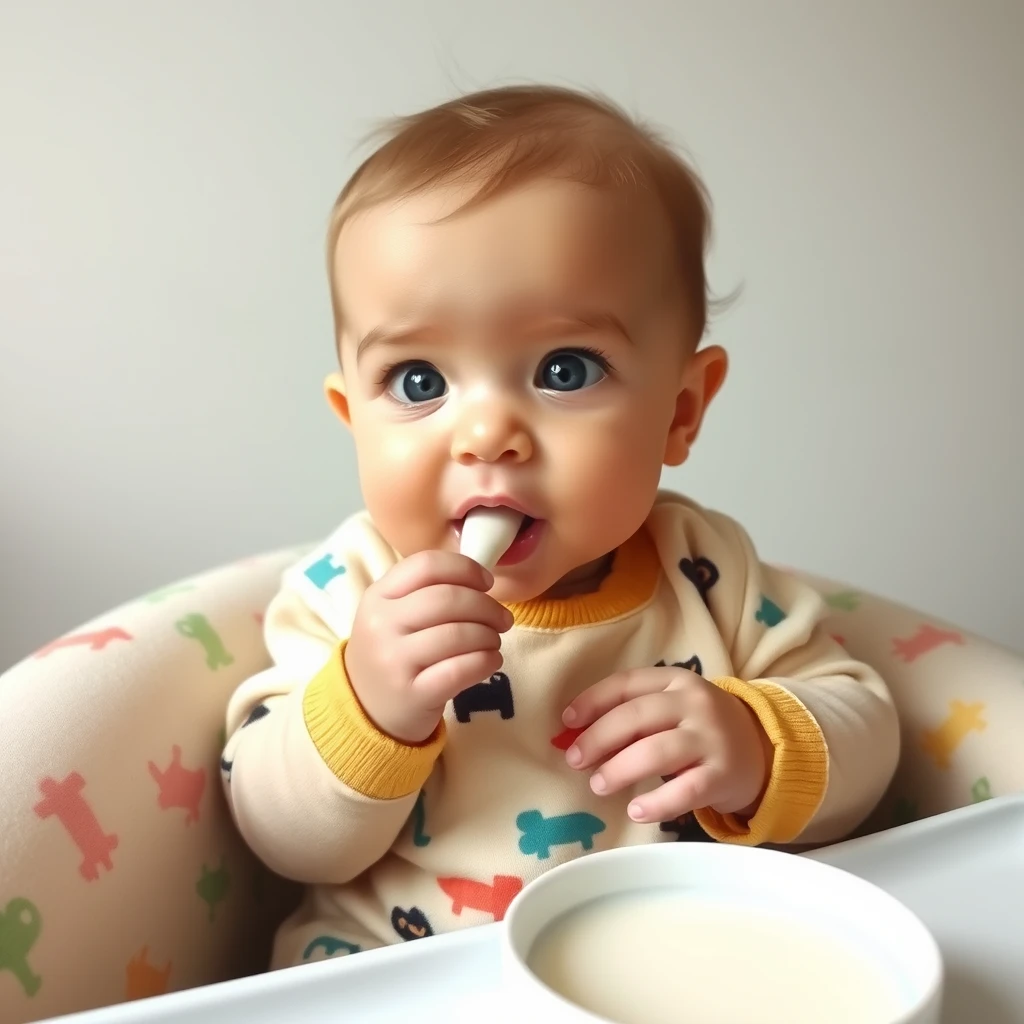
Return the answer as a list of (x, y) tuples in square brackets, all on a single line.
[(670, 722)]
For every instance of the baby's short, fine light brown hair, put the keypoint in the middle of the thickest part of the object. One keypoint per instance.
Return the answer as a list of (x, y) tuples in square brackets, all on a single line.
[(502, 138)]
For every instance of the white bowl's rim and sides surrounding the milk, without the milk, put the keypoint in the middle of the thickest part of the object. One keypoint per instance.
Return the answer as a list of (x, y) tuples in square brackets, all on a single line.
[(834, 904)]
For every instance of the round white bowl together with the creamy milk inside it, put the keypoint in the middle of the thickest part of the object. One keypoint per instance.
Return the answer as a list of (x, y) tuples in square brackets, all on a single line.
[(705, 934)]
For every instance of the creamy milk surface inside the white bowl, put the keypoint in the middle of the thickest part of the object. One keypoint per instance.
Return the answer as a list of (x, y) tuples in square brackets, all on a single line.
[(690, 959)]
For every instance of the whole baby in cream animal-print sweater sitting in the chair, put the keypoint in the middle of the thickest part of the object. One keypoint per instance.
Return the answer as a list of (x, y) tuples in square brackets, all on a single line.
[(520, 295)]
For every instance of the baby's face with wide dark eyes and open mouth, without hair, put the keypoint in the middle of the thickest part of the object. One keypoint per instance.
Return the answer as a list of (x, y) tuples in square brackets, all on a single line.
[(529, 352)]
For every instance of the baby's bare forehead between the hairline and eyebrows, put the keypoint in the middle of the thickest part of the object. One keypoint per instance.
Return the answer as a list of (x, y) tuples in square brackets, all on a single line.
[(547, 250)]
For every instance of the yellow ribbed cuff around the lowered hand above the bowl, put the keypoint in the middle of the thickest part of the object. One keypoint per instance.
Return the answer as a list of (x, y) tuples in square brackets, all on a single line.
[(799, 776)]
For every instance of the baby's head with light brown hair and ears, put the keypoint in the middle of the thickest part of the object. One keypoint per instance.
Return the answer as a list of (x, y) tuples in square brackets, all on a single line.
[(519, 288)]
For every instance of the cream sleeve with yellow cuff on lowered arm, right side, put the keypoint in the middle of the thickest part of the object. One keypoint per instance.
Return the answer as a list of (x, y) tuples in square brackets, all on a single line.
[(831, 718)]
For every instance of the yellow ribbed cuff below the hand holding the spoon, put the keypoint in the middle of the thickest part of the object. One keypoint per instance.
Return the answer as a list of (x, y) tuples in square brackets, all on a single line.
[(364, 758)]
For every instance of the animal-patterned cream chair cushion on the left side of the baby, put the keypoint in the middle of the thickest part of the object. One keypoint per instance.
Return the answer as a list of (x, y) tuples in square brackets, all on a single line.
[(121, 875)]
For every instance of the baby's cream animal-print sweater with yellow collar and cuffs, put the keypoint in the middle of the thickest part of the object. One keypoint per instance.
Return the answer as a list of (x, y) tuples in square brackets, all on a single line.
[(407, 841)]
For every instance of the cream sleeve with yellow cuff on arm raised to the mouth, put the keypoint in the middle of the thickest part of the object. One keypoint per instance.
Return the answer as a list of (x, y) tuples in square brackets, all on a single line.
[(318, 793)]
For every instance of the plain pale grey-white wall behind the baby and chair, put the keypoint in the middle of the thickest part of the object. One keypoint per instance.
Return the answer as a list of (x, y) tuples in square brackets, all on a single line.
[(166, 170)]
